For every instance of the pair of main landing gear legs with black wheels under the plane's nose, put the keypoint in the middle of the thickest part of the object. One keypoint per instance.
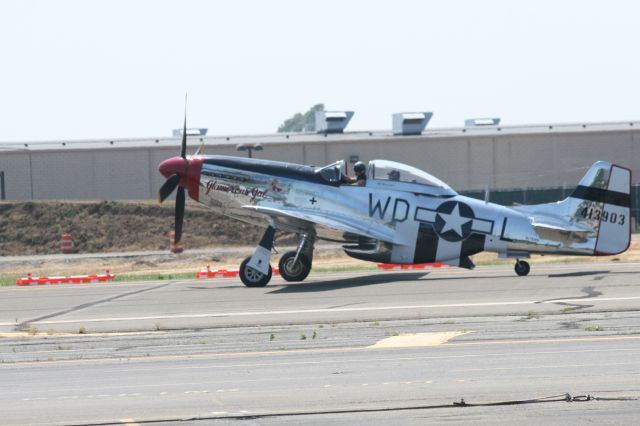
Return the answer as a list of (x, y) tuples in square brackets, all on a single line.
[(255, 271)]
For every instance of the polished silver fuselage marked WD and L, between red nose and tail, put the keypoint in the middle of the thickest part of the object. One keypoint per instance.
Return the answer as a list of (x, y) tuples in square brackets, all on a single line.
[(405, 218)]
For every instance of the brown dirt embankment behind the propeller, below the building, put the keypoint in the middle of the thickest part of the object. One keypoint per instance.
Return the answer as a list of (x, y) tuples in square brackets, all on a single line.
[(28, 228)]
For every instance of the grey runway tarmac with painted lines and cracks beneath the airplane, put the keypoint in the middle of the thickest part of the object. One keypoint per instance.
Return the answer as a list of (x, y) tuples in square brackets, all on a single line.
[(350, 348)]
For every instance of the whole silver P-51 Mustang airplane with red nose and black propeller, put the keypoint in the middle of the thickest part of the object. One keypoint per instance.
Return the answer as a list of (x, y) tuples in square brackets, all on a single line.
[(401, 215)]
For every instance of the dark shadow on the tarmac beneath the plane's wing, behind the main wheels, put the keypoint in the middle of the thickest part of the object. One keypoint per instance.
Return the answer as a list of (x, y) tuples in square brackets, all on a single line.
[(306, 287)]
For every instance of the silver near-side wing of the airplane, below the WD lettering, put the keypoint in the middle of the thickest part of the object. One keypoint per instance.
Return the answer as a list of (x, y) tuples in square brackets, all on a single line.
[(310, 219)]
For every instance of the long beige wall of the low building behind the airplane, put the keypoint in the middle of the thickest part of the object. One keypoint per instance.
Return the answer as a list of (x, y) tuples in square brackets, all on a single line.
[(465, 162)]
